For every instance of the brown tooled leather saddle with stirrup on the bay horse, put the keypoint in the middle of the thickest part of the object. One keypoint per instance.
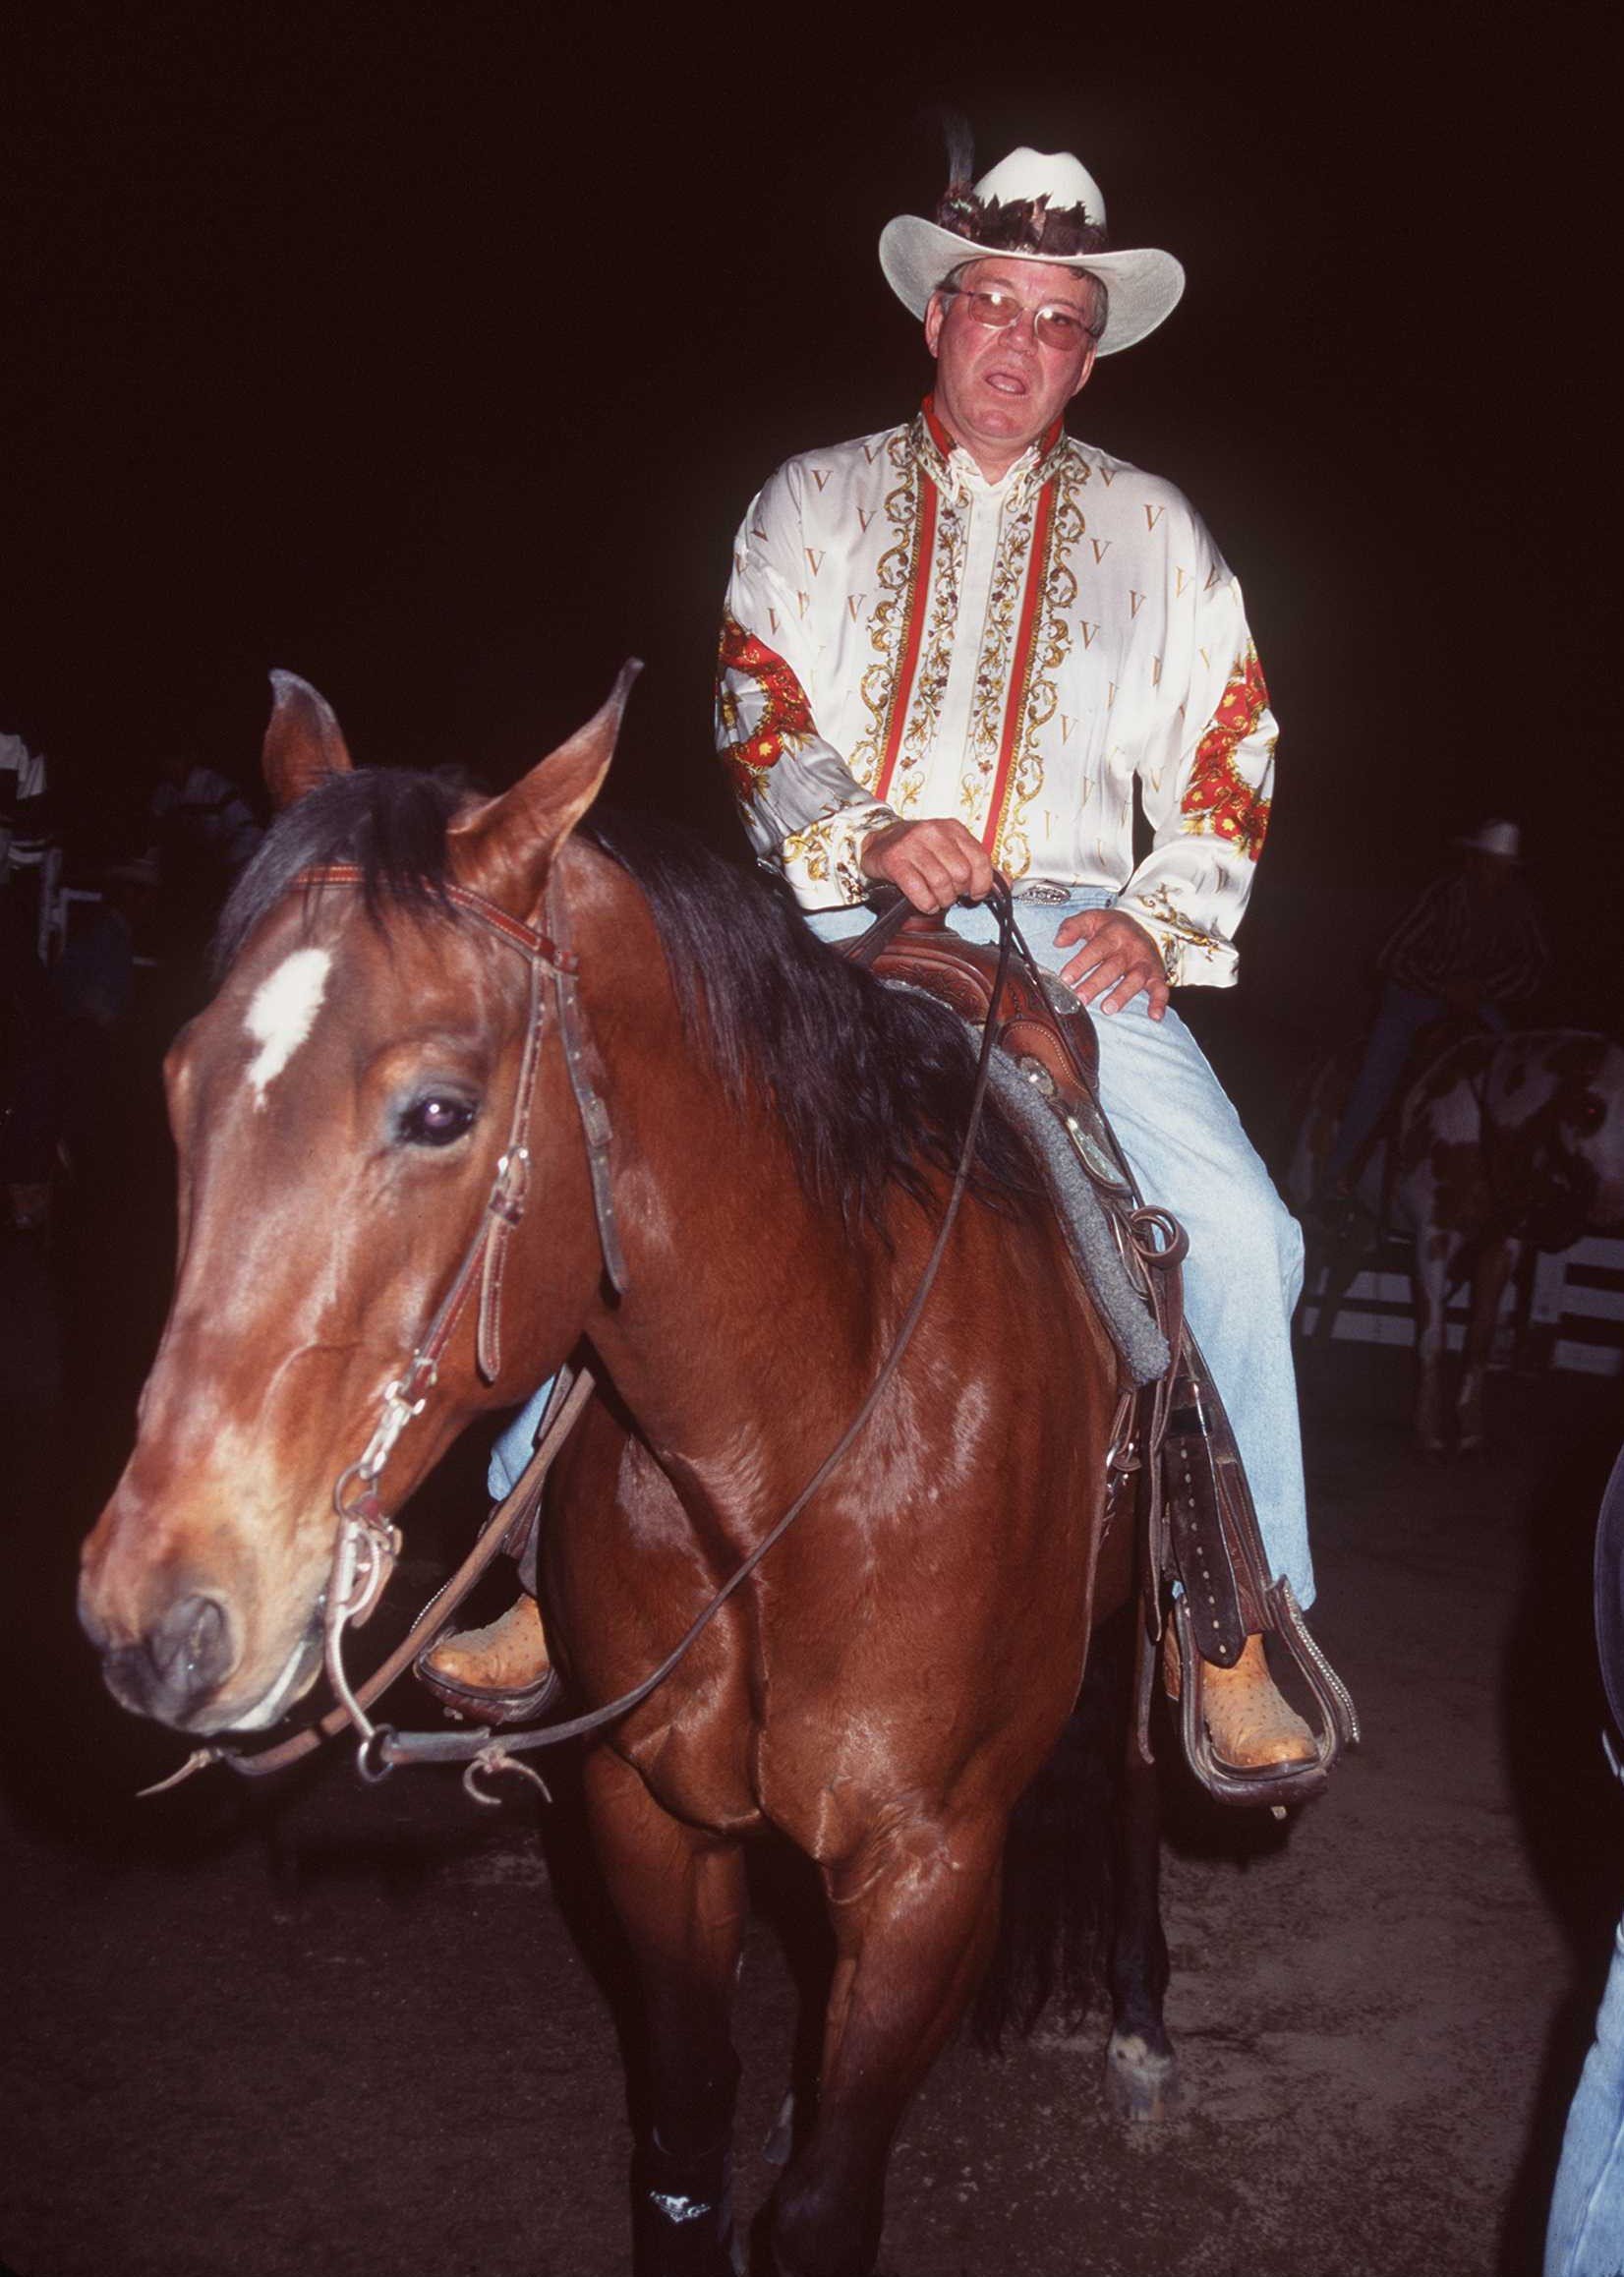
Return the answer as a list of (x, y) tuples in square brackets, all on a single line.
[(1201, 1561)]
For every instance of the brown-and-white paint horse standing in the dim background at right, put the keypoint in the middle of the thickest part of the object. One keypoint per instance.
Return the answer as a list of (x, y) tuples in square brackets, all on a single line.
[(1498, 1146)]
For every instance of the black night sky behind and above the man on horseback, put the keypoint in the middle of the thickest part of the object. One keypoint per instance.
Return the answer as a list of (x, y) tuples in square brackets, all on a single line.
[(436, 354)]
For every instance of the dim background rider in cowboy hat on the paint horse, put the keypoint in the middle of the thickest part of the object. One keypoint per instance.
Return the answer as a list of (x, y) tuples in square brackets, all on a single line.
[(1468, 946)]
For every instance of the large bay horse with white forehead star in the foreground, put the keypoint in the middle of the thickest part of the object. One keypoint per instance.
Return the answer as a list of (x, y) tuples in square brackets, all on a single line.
[(782, 1140)]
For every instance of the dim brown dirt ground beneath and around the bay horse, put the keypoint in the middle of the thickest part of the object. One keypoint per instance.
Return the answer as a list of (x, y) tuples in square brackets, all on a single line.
[(372, 2032)]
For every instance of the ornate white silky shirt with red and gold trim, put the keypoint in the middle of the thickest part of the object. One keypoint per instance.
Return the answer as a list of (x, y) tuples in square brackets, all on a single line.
[(905, 639)]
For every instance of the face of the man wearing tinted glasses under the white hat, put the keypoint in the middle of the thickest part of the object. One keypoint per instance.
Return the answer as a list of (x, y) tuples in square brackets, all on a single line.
[(999, 391)]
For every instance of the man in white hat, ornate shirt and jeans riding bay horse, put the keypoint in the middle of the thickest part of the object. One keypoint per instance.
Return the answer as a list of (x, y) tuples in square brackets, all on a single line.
[(962, 646)]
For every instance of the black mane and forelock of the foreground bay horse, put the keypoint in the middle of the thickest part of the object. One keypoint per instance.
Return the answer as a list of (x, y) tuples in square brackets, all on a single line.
[(873, 1085)]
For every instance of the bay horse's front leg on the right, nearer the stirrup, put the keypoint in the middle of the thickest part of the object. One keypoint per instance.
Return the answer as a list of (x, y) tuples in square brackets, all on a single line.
[(914, 1918)]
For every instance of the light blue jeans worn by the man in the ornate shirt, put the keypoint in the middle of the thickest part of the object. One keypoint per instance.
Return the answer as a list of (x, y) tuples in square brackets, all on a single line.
[(1190, 1153)]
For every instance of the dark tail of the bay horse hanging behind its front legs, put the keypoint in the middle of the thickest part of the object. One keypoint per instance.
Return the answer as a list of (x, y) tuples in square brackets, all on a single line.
[(1060, 1859)]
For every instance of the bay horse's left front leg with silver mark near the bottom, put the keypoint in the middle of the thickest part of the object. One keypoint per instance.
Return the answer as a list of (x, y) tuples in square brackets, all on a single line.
[(680, 1896)]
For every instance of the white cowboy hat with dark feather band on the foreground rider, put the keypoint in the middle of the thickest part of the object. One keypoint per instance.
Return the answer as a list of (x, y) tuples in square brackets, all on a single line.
[(1035, 208)]
